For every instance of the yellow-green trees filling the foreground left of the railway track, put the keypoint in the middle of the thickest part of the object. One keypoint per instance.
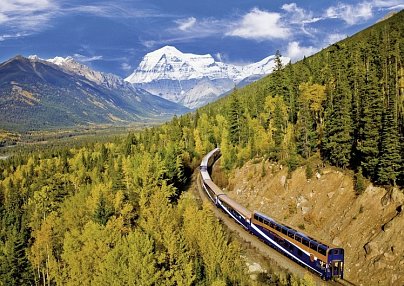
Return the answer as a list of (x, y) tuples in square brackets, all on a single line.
[(108, 215)]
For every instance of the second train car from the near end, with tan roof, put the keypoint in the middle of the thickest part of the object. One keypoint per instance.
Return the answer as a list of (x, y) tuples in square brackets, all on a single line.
[(239, 213)]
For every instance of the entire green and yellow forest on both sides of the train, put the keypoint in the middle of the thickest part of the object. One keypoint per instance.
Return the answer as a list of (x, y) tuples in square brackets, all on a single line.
[(117, 213)]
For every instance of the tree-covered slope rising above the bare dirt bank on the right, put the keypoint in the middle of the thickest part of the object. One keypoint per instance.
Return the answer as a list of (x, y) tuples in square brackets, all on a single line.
[(345, 103)]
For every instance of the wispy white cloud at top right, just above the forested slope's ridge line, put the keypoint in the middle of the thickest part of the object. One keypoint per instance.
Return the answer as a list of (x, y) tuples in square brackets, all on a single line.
[(351, 14)]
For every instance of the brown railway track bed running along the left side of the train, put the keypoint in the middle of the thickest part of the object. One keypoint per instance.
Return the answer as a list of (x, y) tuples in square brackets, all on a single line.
[(262, 248)]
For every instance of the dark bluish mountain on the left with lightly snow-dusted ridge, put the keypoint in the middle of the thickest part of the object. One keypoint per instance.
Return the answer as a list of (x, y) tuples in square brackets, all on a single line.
[(60, 92)]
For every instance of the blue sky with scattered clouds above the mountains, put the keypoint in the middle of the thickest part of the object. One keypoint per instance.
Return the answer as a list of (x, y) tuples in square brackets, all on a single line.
[(113, 36)]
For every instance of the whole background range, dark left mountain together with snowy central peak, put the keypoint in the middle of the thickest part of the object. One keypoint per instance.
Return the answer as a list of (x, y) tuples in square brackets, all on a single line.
[(60, 92)]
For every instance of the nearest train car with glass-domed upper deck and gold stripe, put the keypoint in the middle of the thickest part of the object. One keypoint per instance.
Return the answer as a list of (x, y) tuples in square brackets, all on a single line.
[(326, 261)]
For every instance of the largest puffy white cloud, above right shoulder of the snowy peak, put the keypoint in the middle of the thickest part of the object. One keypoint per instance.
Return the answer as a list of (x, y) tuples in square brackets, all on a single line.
[(260, 25)]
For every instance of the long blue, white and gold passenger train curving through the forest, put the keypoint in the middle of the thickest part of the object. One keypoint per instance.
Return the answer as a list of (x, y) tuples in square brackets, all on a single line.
[(324, 259)]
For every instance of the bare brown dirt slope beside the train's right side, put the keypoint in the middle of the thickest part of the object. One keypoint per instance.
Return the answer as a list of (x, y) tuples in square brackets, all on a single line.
[(370, 227)]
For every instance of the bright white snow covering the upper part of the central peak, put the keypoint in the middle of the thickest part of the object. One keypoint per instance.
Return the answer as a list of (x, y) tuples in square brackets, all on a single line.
[(168, 63)]
